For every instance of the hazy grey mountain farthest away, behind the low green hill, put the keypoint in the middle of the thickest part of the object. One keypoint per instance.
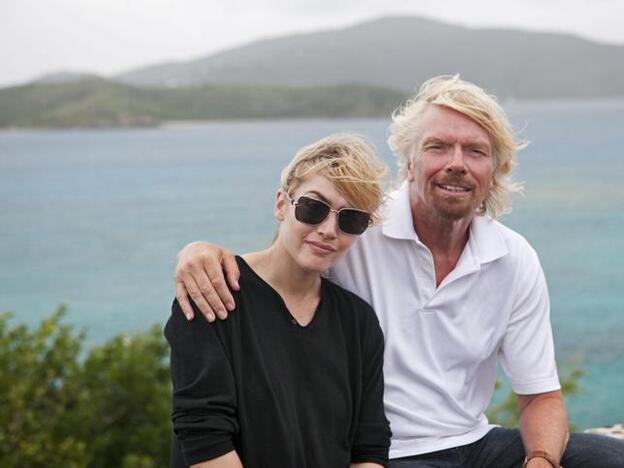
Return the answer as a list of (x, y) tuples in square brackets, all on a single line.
[(401, 52)]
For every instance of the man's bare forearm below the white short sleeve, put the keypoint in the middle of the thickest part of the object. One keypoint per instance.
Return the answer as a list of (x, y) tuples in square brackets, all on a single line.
[(543, 426)]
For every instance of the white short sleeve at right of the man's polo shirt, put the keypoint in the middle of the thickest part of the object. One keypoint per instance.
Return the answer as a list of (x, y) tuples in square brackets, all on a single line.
[(527, 352)]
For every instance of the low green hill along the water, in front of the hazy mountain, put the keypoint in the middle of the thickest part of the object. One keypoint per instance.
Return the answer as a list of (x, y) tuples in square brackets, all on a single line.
[(102, 103)]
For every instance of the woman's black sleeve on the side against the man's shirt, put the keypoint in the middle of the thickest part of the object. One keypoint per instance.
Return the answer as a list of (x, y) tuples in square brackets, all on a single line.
[(372, 438)]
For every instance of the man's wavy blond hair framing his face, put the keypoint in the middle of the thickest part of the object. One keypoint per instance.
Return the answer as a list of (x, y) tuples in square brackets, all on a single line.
[(472, 101)]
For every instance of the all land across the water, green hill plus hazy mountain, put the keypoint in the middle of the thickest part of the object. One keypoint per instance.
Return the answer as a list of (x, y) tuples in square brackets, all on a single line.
[(361, 71)]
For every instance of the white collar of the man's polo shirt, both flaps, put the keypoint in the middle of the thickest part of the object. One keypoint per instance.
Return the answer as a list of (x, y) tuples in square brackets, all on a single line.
[(486, 241)]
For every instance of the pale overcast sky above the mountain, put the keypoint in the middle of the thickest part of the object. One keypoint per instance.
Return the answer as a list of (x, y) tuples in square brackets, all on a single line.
[(110, 36)]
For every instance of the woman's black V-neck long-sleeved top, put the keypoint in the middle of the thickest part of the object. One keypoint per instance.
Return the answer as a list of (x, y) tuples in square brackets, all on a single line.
[(280, 394)]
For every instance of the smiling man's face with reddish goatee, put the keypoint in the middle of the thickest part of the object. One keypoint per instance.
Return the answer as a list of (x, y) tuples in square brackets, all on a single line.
[(454, 170)]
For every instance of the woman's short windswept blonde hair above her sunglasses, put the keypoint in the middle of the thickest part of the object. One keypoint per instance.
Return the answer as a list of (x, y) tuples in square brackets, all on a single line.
[(349, 162)]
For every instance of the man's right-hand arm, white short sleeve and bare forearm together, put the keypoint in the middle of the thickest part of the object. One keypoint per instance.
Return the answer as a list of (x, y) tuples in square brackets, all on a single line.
[(528, 357)]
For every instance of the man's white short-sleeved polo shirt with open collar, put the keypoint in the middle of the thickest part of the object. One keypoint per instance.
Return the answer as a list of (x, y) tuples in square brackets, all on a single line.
[(442, 344)]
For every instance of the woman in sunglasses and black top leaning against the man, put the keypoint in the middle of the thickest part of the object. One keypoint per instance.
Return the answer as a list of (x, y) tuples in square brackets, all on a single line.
[(294, 377)]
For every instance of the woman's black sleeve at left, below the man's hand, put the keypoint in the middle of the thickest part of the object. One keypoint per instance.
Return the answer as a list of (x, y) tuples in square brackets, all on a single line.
[(204, 394)]
